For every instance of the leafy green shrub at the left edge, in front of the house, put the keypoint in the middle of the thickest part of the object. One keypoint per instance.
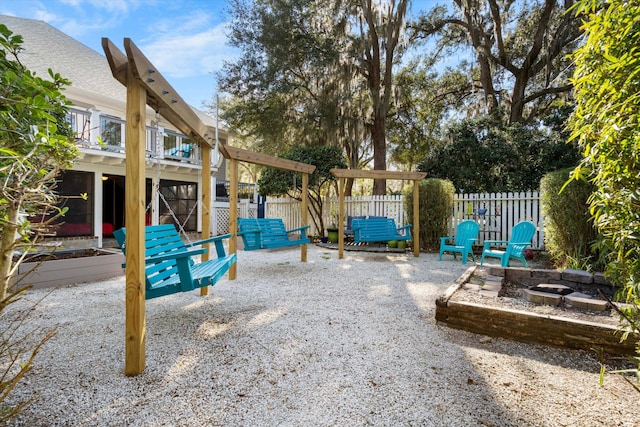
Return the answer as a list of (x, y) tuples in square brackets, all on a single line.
[(36, 146)]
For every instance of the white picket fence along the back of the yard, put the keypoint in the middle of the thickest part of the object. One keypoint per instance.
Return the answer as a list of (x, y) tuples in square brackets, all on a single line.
[(496, 213)]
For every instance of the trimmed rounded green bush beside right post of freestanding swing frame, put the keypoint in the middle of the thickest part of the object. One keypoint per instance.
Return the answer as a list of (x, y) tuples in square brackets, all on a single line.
[(435, 205)]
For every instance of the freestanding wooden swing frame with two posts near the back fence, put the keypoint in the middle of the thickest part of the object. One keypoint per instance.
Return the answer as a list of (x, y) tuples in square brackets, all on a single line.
[(416, 177)]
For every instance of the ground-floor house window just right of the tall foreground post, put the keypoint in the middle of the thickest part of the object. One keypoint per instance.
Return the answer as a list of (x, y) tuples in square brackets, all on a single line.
[(179, 199)]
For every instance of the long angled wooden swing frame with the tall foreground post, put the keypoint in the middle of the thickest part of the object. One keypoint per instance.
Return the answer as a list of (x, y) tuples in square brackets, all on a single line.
[(146, 86)]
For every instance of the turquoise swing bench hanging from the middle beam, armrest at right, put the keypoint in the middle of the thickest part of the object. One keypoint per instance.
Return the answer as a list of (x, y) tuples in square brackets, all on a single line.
[(269, 233)]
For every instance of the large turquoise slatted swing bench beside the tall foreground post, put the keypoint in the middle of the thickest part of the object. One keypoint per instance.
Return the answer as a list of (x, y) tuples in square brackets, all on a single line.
[(169, 267)]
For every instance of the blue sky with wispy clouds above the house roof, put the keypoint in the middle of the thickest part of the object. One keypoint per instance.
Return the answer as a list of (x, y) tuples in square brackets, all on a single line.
[(185, 39)]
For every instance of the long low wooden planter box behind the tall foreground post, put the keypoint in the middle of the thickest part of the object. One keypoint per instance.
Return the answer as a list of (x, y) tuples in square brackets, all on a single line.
[(69, 271)]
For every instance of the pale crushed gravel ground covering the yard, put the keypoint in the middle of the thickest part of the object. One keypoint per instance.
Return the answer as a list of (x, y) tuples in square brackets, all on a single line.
[(330, 342)]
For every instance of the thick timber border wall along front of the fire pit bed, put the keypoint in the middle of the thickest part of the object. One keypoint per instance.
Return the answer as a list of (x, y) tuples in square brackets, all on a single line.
[(529, 327)]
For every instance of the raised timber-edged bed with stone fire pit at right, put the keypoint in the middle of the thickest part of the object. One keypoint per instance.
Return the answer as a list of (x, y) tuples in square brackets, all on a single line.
[(491, 312)]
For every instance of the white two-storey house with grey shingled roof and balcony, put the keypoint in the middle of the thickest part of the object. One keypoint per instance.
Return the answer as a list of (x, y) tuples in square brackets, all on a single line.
[(97, 115)]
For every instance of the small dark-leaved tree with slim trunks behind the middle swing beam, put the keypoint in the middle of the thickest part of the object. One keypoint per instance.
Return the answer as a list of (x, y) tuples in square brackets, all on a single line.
[(281, 182)]
